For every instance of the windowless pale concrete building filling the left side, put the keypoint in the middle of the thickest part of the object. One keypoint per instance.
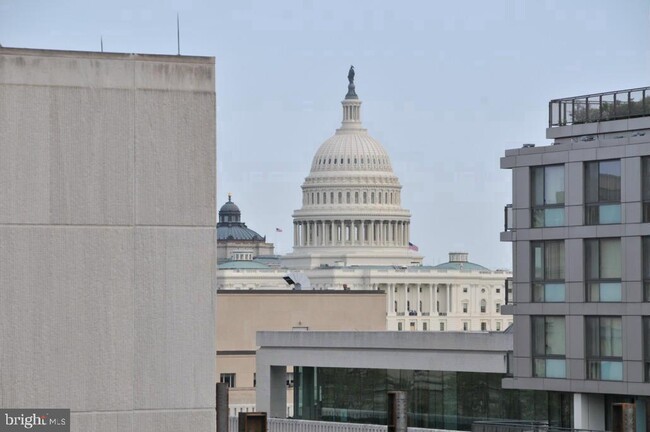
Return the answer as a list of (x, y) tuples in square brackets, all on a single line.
[(107, 215)]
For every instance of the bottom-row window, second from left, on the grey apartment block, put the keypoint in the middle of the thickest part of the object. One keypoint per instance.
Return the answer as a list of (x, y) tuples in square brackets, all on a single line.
[(604, 348)]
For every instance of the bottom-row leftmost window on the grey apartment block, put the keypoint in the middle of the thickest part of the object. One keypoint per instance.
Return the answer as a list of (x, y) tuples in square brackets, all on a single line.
[(549, 346)]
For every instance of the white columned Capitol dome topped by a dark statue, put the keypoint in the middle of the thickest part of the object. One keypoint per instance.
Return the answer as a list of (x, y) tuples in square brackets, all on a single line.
[(351, 202)]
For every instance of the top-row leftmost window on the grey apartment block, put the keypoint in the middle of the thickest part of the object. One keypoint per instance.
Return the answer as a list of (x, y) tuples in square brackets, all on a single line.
[(547, 195)]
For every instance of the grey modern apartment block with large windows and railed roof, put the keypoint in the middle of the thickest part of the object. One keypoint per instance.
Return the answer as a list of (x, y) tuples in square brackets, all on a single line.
[(580, 230)]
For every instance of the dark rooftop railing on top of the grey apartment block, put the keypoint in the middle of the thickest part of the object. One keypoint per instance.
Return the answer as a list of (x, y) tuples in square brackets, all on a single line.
[(621, 104)]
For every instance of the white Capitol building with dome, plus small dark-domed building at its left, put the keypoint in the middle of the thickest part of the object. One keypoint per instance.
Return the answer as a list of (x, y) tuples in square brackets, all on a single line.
[(352, 233)]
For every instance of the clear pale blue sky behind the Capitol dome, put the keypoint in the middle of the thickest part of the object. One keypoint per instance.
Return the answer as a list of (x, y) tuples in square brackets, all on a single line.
[(447, 86)]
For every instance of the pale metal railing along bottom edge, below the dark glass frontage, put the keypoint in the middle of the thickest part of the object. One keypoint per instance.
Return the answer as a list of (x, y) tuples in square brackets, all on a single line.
[(292, 425)]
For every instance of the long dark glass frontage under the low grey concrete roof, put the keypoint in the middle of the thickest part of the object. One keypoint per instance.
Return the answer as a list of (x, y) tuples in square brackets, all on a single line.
[(442, 400)]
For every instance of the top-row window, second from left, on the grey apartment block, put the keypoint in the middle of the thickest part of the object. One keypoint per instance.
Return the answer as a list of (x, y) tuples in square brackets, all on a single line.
[(603, 192)]
